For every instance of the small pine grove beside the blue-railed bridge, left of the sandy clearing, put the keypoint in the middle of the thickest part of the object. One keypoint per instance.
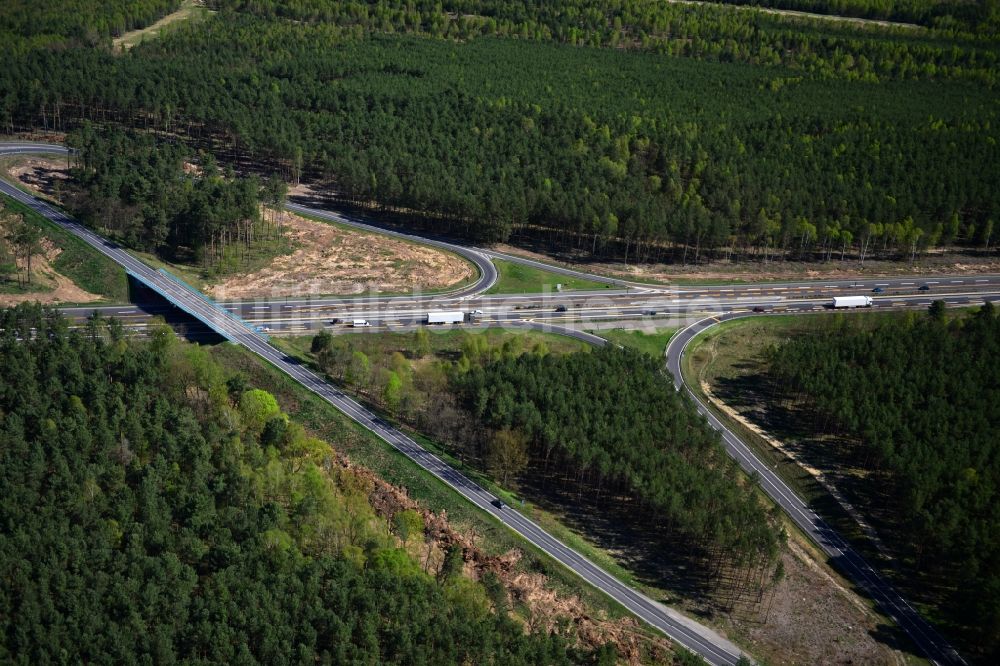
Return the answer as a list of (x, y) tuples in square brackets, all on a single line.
[(150, 194)]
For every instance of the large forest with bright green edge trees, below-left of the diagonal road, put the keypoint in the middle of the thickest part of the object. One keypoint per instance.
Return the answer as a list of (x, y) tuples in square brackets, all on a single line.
[(157, 510)]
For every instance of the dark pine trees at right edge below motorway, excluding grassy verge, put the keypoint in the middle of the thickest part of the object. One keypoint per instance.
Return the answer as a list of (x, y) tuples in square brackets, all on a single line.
[(917, 399)]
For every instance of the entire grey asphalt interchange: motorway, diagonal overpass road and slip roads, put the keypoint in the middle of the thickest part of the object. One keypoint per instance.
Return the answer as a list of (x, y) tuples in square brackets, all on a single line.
[(704, 306)]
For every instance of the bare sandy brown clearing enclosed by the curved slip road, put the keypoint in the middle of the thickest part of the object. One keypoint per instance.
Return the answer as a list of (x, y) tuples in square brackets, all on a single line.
[(329, 259)]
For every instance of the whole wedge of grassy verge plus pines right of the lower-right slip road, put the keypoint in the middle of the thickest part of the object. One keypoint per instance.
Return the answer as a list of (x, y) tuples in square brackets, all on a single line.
[(908, 447)]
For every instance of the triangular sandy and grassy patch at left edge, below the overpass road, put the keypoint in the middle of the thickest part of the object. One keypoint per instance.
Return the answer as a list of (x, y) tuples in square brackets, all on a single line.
[(75, 273)]
